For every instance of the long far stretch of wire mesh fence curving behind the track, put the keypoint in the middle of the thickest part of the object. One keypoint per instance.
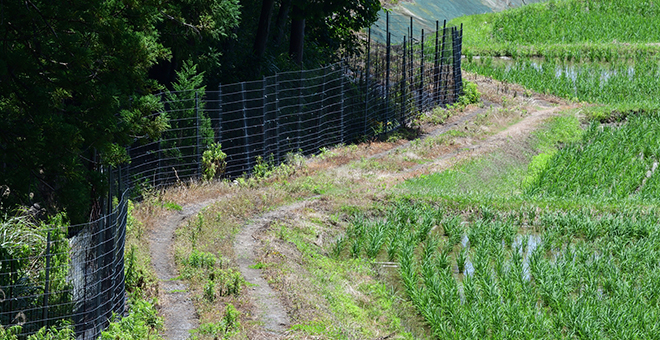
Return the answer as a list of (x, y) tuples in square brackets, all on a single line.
[(379, 91)]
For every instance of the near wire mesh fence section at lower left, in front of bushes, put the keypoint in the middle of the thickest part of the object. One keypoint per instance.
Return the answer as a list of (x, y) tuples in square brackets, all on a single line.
[(59, 275)]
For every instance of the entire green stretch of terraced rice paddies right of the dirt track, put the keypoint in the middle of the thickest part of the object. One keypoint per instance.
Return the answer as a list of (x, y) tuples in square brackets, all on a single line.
[(568, 244)]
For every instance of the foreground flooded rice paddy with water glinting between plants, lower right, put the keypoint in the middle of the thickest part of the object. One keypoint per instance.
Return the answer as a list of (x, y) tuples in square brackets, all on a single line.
[(526, 272)]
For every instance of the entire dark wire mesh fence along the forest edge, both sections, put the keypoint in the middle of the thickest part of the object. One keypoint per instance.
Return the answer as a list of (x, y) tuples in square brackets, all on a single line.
[(75, 274)]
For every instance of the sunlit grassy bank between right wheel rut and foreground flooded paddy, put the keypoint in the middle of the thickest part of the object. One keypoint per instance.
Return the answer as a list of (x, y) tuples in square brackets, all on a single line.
[(337, 299)]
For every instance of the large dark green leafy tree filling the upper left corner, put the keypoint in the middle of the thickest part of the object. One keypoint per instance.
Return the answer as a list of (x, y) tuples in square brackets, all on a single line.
[(73, 92)]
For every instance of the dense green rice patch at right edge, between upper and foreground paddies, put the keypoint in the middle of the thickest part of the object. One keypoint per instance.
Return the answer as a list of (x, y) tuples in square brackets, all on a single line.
[(609, 163)]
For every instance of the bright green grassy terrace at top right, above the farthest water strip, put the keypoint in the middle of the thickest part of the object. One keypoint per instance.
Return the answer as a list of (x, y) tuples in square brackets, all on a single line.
[(569, 30)]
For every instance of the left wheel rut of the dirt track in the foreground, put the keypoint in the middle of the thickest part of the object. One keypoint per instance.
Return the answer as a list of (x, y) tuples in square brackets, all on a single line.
[(178, 311)]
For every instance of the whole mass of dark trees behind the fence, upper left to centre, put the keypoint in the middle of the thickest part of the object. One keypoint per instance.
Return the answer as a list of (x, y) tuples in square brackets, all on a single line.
[(77, 77)]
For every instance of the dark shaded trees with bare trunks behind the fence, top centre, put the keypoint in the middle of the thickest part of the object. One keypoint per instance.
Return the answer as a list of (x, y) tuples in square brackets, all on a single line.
[(300, 30)]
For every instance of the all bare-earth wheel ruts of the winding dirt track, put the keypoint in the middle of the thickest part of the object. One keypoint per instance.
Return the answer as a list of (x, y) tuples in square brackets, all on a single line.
[(177, 307)]
